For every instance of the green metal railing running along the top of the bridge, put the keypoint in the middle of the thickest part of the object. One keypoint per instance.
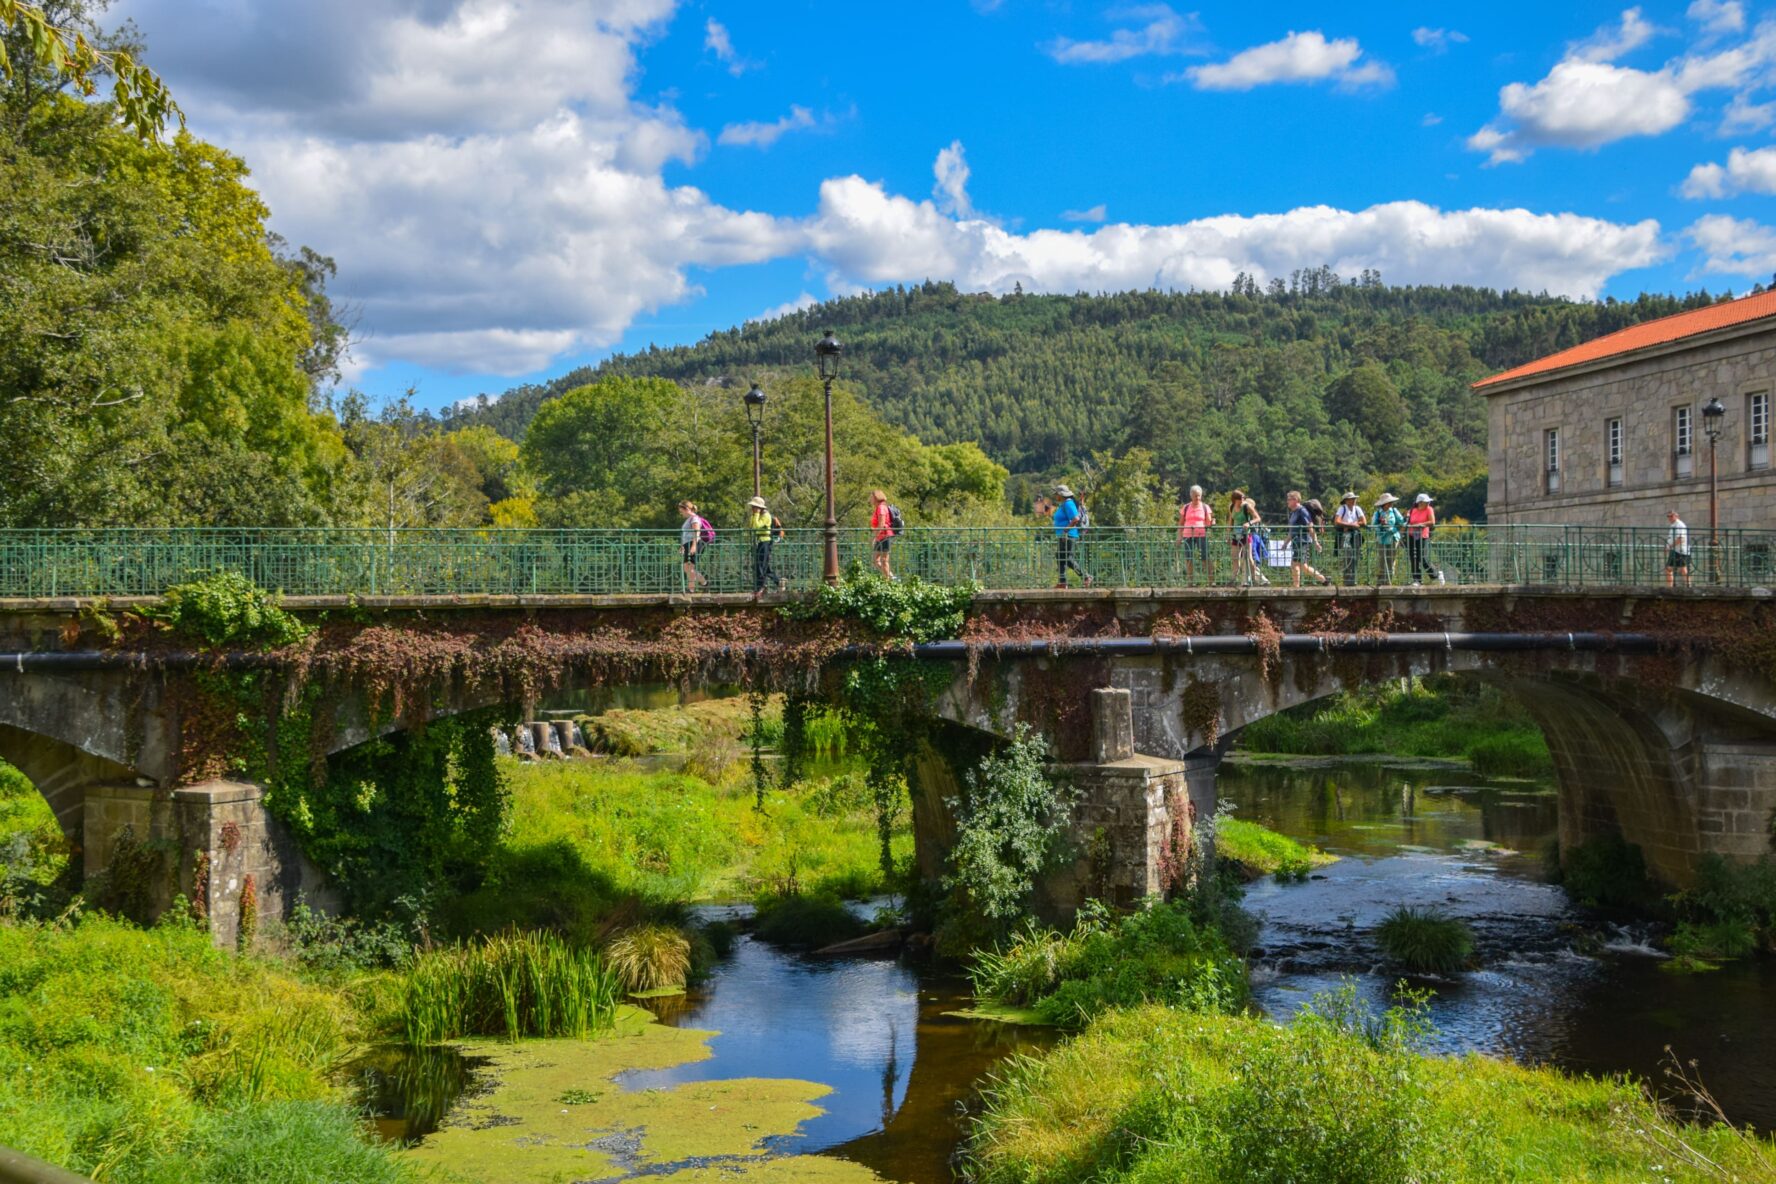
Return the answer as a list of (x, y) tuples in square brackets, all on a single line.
[(489, 562)]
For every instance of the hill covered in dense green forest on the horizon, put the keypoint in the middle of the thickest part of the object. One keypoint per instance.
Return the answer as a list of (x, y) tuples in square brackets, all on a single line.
[(1322, 383)]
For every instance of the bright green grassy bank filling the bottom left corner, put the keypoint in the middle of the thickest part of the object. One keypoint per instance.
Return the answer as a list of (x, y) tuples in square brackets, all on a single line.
[(150, 1057)]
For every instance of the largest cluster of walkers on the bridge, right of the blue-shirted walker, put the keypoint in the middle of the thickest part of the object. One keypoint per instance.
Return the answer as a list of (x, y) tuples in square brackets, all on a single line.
[(1306, 533)]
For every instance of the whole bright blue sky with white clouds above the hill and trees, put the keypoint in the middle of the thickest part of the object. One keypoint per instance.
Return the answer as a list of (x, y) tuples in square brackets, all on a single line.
[(516, 187)]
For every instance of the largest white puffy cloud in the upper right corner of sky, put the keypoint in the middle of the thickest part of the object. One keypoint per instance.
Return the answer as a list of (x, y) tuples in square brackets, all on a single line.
[(1589, 100)]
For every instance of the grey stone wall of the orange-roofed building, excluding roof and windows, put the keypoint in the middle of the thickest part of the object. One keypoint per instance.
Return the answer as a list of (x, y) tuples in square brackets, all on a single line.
[(1642, 393)]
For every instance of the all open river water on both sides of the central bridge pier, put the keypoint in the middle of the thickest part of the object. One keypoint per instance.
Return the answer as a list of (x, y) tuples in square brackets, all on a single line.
[(1553, 986)]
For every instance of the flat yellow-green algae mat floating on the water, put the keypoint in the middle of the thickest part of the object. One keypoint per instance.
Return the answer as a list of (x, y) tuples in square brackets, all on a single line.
[(523, 1132)]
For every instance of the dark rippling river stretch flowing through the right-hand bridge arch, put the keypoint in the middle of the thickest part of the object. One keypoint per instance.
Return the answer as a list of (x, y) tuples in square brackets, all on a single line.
[(1551, 990)]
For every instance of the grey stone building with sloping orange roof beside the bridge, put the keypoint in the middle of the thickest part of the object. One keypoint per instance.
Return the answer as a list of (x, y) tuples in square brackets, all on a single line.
[(1612, 432)]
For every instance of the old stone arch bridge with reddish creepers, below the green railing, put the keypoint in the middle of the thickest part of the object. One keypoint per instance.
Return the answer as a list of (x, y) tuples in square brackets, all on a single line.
[(1660, 709)]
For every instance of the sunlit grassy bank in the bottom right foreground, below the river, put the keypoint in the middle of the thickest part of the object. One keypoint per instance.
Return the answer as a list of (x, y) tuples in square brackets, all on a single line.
[(1157, 1094)]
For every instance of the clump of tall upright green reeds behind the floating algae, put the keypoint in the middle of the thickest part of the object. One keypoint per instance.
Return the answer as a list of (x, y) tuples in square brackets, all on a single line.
[(509, 986)]
